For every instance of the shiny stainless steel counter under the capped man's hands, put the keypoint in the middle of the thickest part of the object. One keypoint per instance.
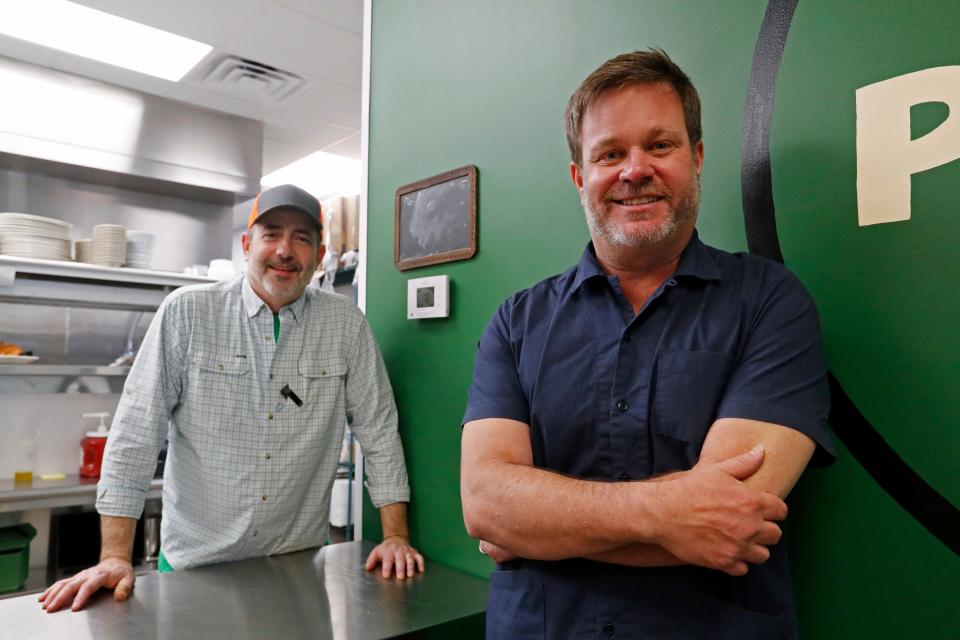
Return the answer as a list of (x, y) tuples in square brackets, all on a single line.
[(309, 594)]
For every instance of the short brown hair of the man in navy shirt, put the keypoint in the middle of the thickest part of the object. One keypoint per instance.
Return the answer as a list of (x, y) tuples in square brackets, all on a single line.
[(638, 67)]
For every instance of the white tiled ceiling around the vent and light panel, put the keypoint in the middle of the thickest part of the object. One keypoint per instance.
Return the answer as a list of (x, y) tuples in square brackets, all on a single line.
[(320, 40)]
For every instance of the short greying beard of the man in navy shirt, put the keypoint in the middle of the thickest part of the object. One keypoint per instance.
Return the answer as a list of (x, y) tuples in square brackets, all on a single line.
[(684, 206)]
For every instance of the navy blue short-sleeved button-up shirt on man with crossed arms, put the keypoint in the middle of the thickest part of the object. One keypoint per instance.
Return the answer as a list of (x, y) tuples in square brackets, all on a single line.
[(614, 396)]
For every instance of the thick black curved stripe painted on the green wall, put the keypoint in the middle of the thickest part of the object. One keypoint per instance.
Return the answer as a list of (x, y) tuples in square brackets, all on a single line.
[(885, 466)]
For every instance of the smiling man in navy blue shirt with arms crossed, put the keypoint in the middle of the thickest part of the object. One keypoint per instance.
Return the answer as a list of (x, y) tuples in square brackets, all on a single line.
[(635, 422)]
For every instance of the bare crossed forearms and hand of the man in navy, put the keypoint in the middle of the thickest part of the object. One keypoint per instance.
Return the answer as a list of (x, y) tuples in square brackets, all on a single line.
[(720, 514)]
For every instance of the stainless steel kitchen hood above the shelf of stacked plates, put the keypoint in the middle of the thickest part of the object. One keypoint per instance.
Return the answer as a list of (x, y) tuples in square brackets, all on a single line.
[(121, 136)]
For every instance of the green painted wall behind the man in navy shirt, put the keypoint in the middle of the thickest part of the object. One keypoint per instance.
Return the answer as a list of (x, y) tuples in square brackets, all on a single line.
[(485, 83)]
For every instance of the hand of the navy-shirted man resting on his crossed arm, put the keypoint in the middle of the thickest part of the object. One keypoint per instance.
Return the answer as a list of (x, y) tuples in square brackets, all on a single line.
[(710, 518)]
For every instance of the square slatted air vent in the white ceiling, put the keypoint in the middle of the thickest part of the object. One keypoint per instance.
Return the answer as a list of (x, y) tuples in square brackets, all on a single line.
[(249, 80)]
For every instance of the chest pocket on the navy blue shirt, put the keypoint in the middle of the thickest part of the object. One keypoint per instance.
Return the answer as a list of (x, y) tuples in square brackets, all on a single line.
[(689, 387)]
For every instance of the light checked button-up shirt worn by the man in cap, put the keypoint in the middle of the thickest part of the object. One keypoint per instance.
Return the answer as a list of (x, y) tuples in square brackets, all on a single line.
[(248, 472)]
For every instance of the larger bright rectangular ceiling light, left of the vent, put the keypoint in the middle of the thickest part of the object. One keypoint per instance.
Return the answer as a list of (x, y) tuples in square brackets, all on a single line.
[(86, 32)]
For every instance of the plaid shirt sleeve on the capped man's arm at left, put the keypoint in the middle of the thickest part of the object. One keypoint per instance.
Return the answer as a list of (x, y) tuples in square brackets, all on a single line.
[(139, 427)]
